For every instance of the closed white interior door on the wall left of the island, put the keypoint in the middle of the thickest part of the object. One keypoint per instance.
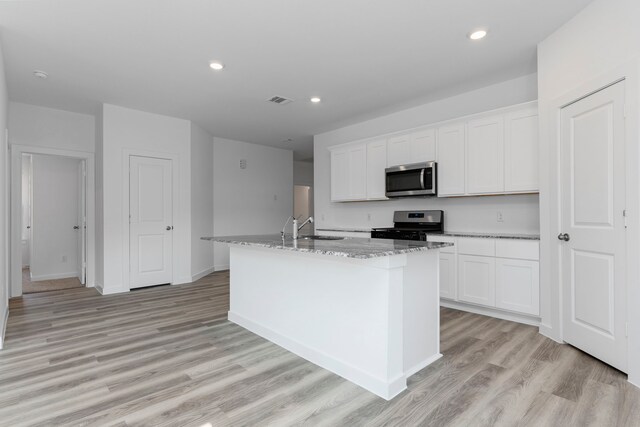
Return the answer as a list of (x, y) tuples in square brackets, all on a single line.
[(151, 221)]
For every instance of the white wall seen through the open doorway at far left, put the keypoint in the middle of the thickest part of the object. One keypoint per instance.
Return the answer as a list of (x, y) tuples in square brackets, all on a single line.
[(55, 213)]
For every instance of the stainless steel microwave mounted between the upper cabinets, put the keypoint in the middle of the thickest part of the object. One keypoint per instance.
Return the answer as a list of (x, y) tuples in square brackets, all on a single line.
[(414, 180)]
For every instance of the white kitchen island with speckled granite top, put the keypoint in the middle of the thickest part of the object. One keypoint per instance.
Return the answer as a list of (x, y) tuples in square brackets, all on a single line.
[(365, 309)]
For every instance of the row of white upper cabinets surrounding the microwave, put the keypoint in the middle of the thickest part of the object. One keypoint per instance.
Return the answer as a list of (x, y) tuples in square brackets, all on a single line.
[(493, 153)]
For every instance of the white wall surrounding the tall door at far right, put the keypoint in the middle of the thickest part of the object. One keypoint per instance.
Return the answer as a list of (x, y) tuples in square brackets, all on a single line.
[(599, 40)]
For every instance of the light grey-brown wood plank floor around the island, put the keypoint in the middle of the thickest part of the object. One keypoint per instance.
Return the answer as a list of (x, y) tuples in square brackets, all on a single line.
[(168, 356)]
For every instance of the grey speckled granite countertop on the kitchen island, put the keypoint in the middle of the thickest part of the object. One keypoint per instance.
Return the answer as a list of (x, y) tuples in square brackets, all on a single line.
[(360, 248)]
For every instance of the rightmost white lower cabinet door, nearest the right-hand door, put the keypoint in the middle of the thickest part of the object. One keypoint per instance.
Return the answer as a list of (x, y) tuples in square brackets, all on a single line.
[(518, 286)]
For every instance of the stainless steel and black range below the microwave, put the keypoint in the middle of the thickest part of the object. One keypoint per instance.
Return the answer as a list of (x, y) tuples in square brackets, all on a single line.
[(412, 225)]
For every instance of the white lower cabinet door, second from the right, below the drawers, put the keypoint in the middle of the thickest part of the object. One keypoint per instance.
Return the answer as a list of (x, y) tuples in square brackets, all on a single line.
[(477, 279)]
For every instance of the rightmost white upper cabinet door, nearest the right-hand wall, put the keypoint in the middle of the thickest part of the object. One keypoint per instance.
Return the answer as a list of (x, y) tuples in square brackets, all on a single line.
[(521, 151)]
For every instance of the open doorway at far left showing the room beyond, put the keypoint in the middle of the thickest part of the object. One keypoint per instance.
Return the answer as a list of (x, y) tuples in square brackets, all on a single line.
[(53, 222)]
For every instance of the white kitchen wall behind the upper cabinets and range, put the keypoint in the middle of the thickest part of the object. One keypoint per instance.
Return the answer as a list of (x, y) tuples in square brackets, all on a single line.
[(520, 212)]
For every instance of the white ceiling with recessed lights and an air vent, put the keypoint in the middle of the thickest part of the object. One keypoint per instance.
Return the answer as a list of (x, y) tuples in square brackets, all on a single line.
[(363, 57)]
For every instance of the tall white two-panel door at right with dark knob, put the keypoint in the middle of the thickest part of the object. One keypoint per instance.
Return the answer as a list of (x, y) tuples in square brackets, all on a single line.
[(593, 203)]
